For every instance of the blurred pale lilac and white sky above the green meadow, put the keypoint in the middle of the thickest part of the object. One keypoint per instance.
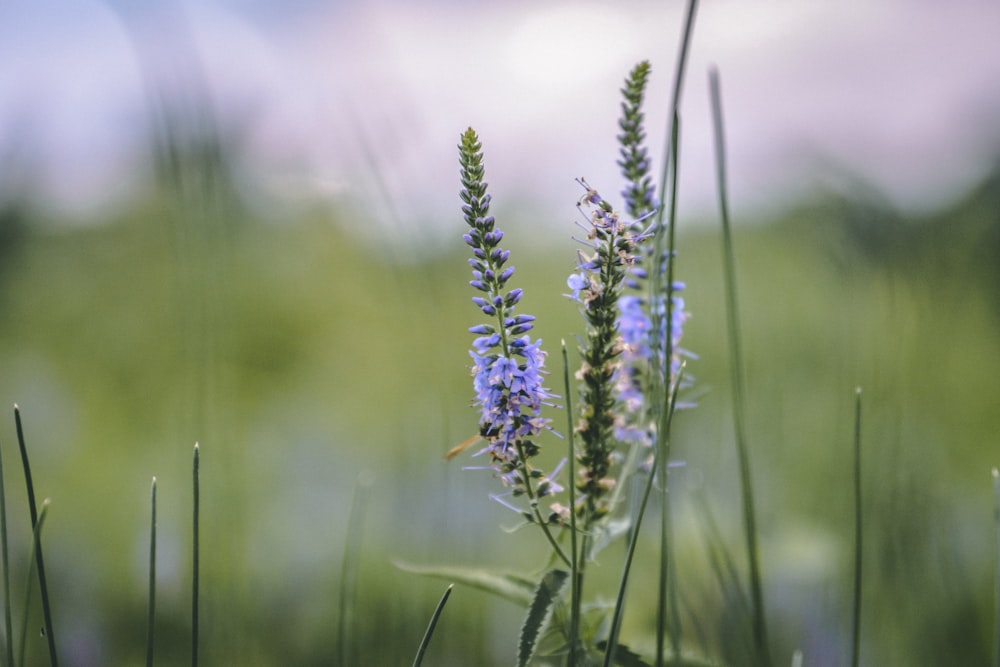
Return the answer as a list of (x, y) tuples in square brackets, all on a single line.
[(366, 100)]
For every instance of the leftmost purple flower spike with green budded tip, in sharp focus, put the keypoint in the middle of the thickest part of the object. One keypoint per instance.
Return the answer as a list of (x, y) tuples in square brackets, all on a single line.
[(507, 366)]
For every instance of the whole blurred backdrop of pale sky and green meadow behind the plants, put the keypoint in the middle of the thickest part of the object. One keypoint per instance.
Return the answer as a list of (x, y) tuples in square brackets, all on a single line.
[(266, 277)]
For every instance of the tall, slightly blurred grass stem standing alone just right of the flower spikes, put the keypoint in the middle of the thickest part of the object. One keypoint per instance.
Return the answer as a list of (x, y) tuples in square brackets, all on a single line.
[(738, 382)]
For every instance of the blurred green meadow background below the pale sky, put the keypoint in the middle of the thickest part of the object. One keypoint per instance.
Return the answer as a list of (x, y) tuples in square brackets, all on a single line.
[(298, 357)]
